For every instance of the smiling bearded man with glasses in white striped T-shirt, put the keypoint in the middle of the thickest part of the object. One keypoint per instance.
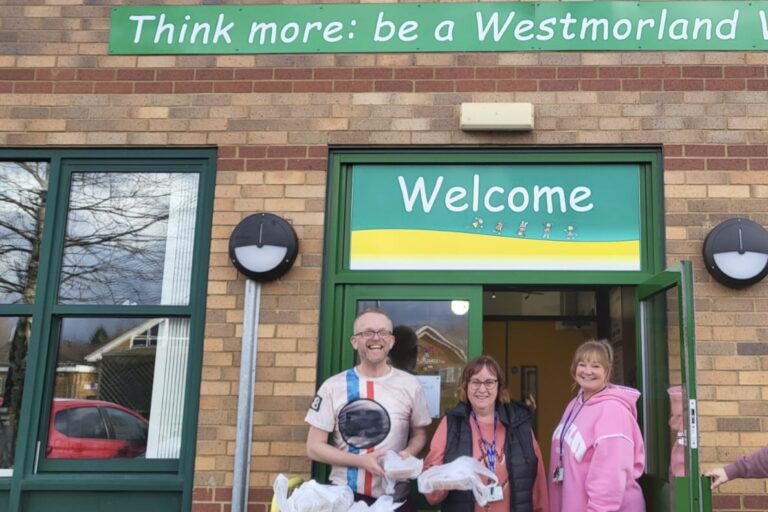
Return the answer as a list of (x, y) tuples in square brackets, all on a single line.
[(370, 409)]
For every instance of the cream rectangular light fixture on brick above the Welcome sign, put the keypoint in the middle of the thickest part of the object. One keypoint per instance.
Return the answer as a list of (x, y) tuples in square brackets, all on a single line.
[(497, 116)]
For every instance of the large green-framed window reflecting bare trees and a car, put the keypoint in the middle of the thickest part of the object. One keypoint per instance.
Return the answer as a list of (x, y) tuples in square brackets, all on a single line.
[(103, 258)]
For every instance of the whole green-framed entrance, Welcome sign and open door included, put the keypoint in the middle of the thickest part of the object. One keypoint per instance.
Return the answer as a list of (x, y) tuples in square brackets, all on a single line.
[(437, 237)]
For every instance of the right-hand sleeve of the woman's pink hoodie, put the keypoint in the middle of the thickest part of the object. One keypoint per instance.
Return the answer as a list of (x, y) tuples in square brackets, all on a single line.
[(612, 461)]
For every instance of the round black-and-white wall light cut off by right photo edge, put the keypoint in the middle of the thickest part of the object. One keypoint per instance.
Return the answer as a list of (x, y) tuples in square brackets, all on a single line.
[(736, 253)]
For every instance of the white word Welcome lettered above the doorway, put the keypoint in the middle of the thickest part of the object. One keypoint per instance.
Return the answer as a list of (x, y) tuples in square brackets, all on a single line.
[(494, 198)]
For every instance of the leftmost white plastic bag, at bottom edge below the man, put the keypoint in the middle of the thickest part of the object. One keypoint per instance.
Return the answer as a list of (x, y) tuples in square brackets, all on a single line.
[(312, 497)]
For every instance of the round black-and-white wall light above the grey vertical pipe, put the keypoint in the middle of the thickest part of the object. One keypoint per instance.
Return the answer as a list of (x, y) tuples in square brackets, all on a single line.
[(263, 246)]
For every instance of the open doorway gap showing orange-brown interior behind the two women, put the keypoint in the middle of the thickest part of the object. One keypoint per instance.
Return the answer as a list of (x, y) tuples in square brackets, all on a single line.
[(533, 333)]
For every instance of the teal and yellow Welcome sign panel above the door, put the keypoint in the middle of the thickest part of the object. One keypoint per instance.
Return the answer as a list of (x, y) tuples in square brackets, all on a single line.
[(495, 217)]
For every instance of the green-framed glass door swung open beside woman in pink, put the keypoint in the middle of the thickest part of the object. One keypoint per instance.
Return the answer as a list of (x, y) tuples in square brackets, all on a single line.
[(667, 356)]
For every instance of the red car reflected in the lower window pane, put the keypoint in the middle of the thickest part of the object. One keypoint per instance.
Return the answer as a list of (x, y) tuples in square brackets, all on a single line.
[(94, 429)]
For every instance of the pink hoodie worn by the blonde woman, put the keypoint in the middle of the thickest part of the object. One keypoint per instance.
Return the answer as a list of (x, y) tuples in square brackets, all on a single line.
[(603, 455)]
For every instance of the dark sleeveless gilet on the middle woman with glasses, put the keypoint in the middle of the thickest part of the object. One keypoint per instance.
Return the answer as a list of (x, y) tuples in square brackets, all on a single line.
[(519, 455)]
